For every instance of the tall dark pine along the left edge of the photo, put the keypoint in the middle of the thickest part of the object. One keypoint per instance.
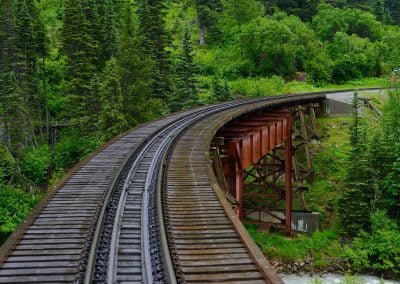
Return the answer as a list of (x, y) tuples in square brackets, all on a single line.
[(18, 131)]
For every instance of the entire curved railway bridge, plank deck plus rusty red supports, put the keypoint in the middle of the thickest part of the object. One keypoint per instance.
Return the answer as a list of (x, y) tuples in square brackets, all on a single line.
[(164, 202)]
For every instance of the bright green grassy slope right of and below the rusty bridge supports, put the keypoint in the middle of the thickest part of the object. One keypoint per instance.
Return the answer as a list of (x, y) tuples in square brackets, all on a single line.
[(330, 157)]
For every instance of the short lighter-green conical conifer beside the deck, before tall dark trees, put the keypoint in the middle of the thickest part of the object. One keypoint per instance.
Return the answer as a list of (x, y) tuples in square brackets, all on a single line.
[(111, 121)]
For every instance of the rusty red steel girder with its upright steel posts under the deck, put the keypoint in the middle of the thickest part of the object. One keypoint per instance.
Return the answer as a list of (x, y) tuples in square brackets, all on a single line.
[(246, 141)]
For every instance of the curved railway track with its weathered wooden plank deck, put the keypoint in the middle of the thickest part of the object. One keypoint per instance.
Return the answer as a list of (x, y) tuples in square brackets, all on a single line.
[(130, 215)]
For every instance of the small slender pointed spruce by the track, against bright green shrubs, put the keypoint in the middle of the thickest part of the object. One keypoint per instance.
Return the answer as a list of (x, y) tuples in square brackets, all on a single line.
[(185, 89)]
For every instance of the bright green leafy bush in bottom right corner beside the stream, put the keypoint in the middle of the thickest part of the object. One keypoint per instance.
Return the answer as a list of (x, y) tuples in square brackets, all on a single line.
[(379, 250)]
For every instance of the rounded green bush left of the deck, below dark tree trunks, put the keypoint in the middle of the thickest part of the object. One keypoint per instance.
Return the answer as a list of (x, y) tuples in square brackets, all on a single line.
[(35, 164)]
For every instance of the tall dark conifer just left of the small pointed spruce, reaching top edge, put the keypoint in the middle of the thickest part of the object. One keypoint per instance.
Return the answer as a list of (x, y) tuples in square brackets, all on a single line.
[(155, 41)]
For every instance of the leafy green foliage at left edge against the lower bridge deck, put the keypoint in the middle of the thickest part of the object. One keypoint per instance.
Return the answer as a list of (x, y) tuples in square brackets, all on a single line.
[(15, 205)]
